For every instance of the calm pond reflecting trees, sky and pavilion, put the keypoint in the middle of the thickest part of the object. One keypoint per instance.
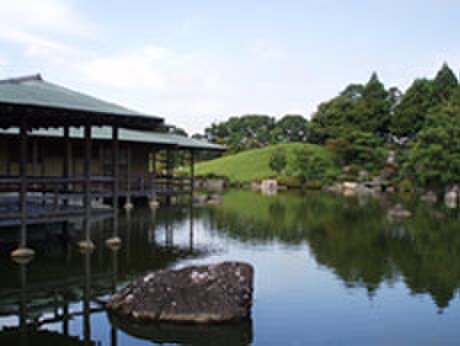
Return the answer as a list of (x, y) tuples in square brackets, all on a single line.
[(328, 270)]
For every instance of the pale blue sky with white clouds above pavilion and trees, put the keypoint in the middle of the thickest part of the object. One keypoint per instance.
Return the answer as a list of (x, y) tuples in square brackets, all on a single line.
[(195, 62)]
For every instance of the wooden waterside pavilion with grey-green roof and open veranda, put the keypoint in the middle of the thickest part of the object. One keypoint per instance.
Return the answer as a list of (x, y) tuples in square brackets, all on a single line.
[(62, 153)]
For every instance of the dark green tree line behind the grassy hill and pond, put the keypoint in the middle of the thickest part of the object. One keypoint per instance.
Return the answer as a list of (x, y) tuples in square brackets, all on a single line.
[(364, 122)]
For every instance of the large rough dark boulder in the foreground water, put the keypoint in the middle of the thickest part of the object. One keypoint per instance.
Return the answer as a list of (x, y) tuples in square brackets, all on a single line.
[(196, 294)]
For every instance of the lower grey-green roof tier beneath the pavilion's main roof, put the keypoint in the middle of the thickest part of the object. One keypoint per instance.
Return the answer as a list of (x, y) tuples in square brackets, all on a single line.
[(105, 133)]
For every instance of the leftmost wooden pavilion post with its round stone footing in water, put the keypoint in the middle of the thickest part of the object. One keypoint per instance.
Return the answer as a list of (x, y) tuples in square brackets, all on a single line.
[(23, 251)]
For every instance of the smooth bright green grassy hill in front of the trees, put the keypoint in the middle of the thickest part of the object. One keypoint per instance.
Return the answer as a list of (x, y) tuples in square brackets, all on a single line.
[(253, 164)]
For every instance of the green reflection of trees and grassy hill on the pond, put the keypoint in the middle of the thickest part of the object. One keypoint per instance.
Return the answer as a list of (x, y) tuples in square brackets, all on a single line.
[(356, 242)]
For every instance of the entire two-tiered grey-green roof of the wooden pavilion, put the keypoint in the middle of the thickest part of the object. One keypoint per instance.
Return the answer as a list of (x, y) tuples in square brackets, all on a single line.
[(34, 91)]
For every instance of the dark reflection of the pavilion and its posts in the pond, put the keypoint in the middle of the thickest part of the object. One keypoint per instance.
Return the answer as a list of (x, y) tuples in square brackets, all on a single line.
[(67, 287)]
